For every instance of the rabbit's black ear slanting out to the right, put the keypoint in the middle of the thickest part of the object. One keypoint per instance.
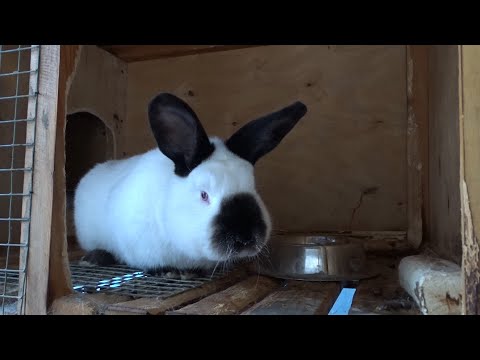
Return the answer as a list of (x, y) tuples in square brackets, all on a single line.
[(260, 136)]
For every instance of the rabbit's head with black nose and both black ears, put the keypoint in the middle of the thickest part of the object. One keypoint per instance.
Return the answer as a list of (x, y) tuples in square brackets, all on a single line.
[(213, 210)]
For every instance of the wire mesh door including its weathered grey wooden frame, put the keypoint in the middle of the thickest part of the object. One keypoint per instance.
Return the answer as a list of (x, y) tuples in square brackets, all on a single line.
[(28, 97)]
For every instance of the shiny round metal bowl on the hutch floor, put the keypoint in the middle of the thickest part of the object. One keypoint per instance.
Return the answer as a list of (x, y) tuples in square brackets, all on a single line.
[(315, 258)]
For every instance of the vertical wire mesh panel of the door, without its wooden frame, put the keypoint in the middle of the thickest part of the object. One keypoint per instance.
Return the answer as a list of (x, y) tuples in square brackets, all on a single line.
[(18, 66)]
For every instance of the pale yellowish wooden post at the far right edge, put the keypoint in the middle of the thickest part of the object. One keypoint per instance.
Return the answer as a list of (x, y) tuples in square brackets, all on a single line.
[(470, 176)]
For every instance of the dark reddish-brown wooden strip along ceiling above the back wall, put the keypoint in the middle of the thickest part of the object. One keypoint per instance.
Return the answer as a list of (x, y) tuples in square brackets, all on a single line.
[(130, 53)]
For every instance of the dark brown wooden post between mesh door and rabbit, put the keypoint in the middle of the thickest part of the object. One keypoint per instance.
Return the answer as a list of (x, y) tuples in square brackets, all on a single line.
[(59, 276)]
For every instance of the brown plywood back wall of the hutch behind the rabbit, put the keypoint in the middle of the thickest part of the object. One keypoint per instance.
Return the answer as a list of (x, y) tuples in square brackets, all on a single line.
[(342, 168)]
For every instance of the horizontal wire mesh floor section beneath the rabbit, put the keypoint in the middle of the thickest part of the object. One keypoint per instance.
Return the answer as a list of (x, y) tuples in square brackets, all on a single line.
[(122, 280)]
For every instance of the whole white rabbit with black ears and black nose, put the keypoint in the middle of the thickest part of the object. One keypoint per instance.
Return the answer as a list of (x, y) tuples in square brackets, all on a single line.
[(189, 203)]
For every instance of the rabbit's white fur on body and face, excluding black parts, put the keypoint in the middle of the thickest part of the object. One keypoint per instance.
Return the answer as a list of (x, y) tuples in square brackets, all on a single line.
[(141, 212)]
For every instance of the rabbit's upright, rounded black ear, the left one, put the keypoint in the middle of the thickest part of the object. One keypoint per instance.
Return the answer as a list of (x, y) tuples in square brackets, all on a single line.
[(178, 132)]
